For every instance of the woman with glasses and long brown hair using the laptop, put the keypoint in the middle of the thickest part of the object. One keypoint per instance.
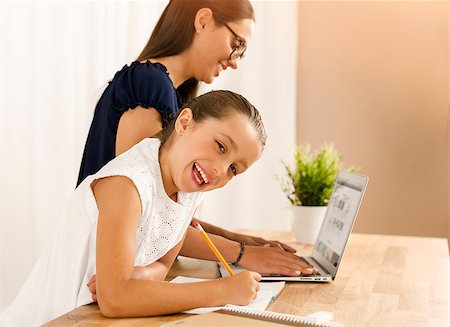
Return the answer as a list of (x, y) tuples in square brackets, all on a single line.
[(194, 40)]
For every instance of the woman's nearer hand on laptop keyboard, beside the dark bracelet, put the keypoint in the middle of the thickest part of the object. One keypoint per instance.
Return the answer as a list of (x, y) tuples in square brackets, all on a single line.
[(274, 260)]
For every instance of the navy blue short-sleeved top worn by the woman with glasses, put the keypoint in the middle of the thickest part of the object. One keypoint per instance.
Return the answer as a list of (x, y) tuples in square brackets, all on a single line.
[(140, 84)]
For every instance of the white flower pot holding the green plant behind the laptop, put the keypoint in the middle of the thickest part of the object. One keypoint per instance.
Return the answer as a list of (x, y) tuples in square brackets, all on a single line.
[(306, 222)]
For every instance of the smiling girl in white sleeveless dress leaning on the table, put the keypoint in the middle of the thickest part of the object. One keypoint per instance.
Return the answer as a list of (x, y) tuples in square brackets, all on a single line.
[(127, 222)]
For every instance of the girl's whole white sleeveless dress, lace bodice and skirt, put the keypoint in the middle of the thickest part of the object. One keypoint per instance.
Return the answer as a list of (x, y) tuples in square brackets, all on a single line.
[(58, 281)]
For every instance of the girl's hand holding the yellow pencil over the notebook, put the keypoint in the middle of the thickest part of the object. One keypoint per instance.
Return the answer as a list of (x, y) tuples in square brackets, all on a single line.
[(240, 289)]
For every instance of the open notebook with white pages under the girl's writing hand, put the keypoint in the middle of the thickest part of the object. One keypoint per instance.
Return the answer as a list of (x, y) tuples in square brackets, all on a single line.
[(266, 294)]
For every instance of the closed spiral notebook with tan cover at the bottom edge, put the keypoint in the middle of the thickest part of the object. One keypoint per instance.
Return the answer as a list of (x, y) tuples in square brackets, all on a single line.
[(232, 315)]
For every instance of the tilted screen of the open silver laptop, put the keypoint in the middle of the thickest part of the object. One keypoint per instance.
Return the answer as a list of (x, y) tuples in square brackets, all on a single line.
[(339, 219)]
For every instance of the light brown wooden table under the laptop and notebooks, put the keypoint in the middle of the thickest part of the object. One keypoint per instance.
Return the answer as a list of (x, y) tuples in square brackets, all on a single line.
[(383, 281)]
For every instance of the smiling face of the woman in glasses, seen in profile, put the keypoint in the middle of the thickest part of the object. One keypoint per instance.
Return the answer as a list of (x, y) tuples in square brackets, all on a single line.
[(214, 44)]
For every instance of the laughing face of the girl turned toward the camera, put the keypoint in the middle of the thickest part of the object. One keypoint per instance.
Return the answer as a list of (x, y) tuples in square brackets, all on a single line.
[(207, 155)]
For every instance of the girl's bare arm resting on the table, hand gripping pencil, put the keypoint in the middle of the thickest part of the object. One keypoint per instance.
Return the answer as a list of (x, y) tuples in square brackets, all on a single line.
[(120, 294)]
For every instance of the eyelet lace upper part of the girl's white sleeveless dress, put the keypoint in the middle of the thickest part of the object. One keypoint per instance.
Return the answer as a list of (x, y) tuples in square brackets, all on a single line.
[(163, 221)]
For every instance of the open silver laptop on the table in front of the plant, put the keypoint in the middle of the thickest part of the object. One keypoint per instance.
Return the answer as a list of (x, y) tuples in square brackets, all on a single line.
[(337, 225)]
